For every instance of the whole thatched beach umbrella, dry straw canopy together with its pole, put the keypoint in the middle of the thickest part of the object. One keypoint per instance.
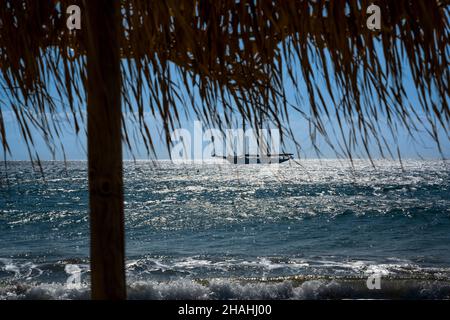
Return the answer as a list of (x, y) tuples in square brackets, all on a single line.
[(236, 54)]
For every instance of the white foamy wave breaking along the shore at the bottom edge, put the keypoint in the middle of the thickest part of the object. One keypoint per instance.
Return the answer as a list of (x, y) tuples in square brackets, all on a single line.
[(246, 290)]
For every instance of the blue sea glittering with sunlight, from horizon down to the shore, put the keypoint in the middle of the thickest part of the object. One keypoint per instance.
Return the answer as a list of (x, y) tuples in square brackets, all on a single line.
[(316, 229)]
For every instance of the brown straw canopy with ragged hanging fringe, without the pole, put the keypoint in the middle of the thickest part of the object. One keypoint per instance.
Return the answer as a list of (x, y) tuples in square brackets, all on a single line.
[(239, 54)]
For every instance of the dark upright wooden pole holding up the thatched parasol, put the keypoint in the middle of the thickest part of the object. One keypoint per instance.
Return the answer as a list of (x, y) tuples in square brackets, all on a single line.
[(105, 150)]
